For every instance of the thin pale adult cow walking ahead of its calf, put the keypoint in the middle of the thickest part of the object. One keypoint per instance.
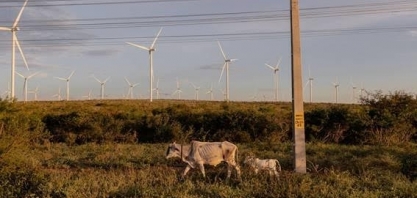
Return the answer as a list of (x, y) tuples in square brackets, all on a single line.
[(200, 153)]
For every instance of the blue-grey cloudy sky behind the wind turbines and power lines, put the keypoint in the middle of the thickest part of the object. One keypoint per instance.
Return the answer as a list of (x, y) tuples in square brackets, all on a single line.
[(370, 45)]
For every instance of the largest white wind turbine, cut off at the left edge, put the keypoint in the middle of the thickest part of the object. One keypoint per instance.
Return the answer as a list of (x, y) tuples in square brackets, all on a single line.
[(15, 42)]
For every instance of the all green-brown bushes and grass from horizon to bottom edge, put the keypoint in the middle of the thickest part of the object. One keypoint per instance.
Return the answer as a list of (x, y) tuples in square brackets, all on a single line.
[(116, 148)]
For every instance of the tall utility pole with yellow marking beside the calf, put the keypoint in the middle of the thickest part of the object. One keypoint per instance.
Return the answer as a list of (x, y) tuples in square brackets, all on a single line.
[(297, 92)]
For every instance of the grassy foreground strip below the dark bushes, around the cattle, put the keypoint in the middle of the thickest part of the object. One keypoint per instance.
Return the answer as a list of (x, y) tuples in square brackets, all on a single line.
[(141, 170)]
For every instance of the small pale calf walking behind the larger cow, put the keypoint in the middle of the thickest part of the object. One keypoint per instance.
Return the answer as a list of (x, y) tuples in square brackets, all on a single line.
[(264, 164)]
